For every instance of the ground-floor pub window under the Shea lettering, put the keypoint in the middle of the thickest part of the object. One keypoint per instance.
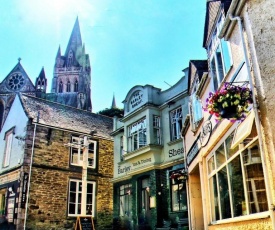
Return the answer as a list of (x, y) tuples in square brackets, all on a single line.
[(178, 194)]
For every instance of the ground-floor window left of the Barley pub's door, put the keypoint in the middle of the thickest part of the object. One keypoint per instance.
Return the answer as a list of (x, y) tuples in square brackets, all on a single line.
[(125, 198)]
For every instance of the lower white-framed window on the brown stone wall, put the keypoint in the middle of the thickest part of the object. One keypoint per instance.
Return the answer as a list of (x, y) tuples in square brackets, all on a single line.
[(75, 194)]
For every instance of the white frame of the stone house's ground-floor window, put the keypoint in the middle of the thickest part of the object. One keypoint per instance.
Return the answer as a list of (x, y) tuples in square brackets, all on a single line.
[(78, 194)]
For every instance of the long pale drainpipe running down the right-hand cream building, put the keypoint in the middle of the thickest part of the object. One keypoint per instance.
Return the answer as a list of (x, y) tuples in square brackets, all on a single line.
[(257, 119)]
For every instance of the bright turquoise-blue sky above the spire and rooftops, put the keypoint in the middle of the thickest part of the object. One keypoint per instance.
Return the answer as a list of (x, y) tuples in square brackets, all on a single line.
[(130, 42)]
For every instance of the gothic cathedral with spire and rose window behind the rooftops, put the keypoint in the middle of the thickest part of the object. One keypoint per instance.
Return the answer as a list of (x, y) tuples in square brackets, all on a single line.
[(71, 82)]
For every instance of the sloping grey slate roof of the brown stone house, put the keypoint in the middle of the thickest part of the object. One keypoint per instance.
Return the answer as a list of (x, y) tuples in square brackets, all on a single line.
[(66, 117)]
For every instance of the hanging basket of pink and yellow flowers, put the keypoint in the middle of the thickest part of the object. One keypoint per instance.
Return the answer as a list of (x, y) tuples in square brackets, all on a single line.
[(231, 102)]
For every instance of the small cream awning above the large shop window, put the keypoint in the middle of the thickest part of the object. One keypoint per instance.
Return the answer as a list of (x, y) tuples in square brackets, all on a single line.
[(243, 130)]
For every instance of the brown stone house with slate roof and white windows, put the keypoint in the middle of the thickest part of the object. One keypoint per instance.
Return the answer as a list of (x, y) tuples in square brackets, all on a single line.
[(57, 165)]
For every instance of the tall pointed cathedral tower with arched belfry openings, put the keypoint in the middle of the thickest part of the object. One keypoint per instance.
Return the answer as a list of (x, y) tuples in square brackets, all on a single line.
[(71, 84)]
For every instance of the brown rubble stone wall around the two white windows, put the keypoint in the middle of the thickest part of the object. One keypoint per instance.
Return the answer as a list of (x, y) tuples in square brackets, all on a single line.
[(50, 179)]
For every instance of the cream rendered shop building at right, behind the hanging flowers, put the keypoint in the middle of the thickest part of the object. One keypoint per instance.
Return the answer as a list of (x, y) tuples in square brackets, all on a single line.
[(231, 162)]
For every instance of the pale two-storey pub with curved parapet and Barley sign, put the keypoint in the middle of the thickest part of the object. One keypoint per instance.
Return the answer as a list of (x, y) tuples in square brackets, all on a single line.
[(149, 185)]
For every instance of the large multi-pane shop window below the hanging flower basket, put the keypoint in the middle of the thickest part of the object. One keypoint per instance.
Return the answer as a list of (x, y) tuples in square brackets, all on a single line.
[(236, 181)]
